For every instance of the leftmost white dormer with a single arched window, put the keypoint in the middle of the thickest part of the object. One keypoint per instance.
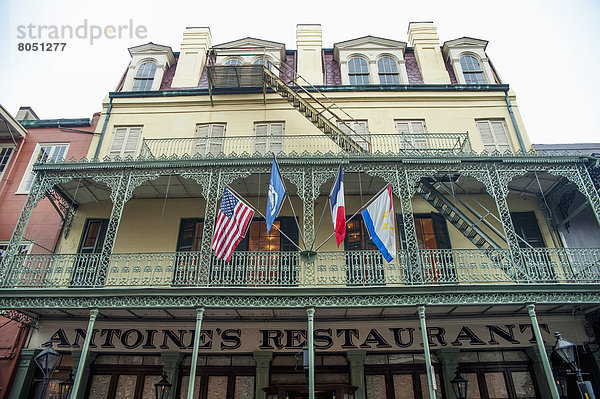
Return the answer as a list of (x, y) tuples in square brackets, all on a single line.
[(147, 67)]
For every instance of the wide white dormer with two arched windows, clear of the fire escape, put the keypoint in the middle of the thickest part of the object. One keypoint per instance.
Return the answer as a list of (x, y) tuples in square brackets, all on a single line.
[(371, 60)]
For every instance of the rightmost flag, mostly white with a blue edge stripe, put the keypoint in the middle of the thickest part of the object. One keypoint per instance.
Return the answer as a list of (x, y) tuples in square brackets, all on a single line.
[(379, 219)]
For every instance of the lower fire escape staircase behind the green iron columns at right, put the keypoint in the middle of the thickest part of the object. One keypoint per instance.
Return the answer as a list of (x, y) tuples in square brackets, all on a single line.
[(469, 228)]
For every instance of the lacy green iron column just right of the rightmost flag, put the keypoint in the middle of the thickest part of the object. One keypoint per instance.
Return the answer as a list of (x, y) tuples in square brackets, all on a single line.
[(406, 192)]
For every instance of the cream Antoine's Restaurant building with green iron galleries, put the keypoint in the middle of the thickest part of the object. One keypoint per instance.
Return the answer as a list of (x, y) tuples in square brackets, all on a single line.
[(134, 289)]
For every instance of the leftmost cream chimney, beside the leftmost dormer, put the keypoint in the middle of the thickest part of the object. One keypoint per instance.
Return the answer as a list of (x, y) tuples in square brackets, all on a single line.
[(192, 57)]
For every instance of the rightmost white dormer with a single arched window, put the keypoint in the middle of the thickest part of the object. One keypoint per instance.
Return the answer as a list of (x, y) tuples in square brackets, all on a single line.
[(468, 58)]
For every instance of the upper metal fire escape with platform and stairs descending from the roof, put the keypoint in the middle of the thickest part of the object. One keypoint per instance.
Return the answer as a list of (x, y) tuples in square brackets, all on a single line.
[(319, 109)]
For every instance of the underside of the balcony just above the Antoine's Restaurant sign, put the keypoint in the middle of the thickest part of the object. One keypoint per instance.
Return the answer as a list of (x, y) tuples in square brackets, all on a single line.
[(299, 314)]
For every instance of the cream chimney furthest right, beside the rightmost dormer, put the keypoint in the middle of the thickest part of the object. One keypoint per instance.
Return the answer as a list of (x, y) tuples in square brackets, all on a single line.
[(423, 37)]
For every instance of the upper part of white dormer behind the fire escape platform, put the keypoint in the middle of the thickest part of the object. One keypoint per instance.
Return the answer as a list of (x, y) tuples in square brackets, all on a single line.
[(250, 51)]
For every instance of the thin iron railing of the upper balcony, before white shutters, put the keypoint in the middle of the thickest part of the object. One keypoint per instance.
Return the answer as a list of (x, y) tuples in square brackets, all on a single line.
[(302, 145)]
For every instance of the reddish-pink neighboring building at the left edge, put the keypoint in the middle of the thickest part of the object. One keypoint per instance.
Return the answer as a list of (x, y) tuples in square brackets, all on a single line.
[(21, 145)]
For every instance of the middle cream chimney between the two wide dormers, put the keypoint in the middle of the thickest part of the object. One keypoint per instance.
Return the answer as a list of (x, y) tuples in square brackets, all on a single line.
[(309, 42)]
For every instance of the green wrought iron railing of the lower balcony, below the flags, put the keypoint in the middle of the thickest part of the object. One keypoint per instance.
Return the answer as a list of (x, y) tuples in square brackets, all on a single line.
[(287, 269)]
